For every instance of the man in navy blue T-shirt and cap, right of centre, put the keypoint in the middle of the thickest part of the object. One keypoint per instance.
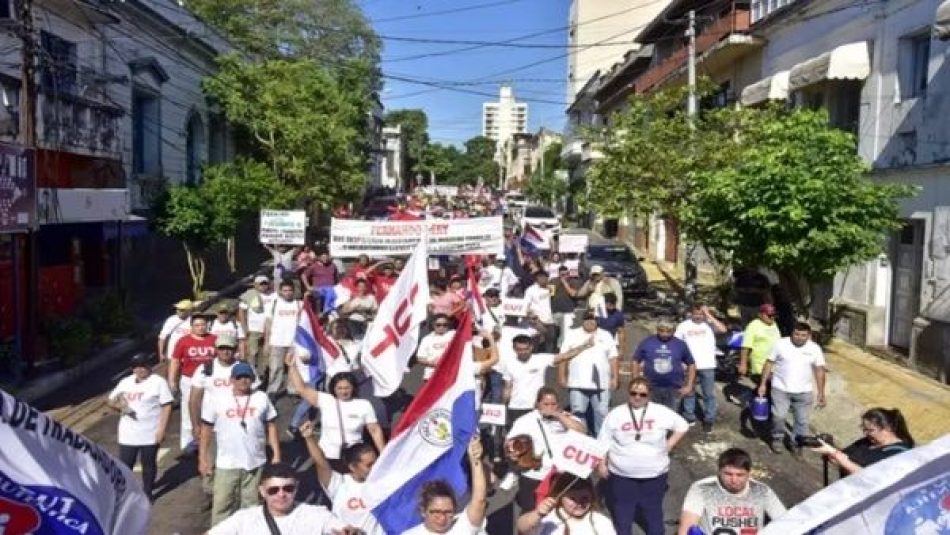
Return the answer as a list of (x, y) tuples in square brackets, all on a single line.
[(667, 363)]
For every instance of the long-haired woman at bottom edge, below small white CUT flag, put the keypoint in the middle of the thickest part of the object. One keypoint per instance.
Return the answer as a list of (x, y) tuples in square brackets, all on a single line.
[(569, 509)]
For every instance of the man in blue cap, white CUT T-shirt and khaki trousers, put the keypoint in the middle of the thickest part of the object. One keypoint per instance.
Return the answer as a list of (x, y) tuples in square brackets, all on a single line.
[(240, 423)]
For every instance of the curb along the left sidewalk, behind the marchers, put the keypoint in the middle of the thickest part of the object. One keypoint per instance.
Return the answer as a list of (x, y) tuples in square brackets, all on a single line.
[(47, 384)]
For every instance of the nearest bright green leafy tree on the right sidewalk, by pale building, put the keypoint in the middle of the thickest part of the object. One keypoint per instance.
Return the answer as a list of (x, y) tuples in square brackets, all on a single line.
[(796, 198)]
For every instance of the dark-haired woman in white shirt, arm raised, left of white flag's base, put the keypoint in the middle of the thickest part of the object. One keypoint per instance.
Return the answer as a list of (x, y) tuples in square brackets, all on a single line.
[(343, 417)]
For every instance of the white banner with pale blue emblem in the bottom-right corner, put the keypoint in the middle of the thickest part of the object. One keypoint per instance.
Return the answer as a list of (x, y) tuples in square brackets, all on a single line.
[(907, 494)]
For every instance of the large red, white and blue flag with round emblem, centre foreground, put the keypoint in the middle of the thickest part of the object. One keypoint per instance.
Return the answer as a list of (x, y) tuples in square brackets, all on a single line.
[(430, 441)]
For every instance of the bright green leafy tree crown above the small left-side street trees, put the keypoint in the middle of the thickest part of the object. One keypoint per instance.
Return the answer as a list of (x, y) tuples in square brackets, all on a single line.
[(310, 125)]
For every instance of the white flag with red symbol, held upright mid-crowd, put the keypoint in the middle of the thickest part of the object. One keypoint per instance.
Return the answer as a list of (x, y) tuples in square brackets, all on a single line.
[(394, 334)]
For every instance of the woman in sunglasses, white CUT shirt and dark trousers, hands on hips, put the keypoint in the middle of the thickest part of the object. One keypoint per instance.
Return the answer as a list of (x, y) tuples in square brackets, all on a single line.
[(641, 435)]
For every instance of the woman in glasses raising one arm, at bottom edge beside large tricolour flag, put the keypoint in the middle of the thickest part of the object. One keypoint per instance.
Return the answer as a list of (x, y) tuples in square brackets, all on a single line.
[(439, 502)]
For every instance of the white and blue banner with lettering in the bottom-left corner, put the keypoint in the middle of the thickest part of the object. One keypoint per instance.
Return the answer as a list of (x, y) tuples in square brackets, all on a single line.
[(54, 481)]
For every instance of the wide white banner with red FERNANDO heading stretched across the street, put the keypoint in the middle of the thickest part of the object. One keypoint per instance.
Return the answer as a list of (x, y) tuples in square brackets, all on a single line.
[(353, 237)]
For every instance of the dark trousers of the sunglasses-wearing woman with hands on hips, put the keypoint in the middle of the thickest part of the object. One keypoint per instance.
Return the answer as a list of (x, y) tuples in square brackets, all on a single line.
[(626, 495)]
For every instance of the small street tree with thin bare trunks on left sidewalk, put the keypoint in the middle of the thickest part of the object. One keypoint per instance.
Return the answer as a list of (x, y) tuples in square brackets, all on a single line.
[(209, 214)]
